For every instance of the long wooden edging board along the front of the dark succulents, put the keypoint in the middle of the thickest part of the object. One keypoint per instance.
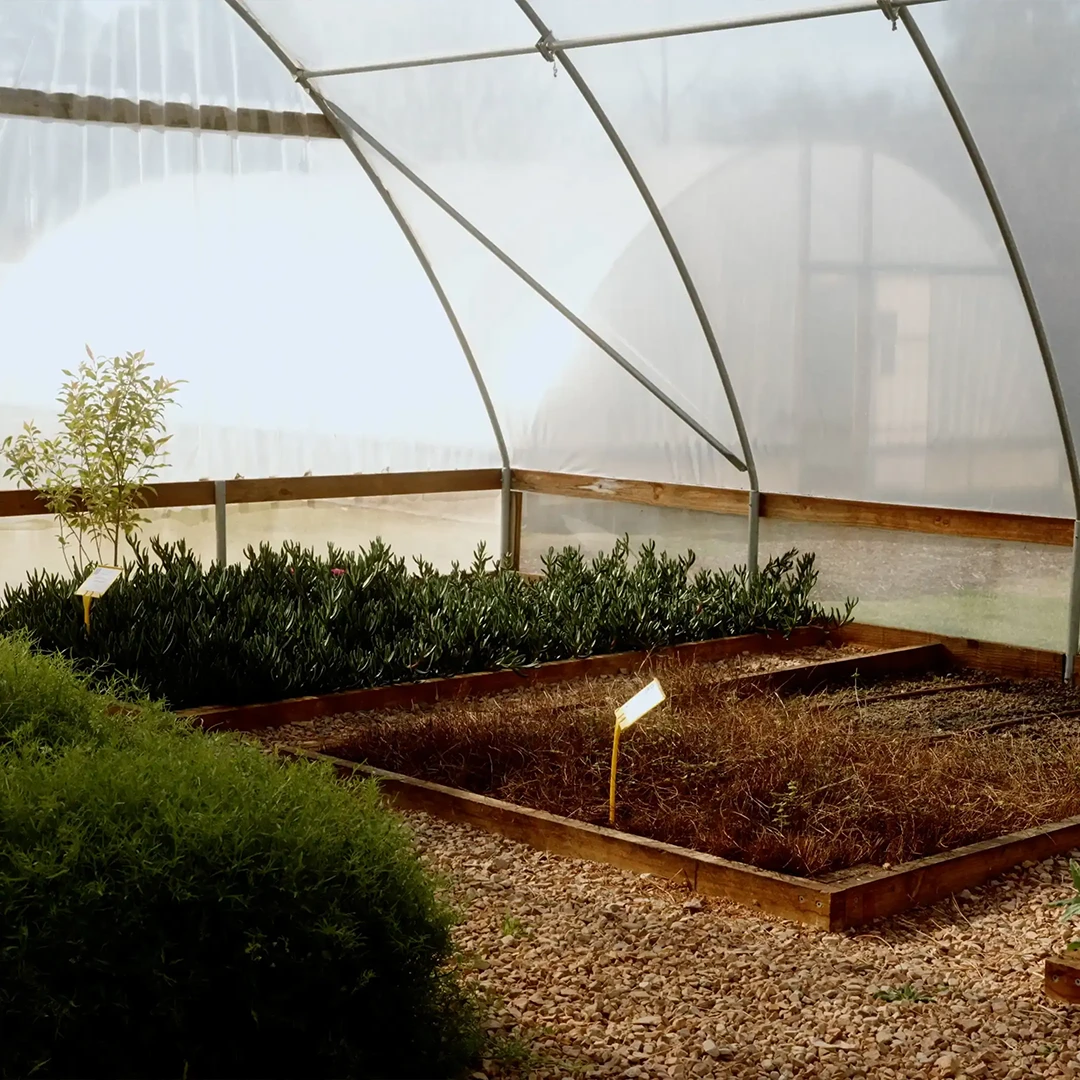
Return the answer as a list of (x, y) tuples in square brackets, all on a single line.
[(278, 713)]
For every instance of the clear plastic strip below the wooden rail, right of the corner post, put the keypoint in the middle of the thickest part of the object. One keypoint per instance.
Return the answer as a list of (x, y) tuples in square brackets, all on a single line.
[(954, 586)]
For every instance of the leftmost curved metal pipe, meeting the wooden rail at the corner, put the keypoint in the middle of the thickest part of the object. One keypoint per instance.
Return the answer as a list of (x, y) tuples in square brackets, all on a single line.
[(330, 113)]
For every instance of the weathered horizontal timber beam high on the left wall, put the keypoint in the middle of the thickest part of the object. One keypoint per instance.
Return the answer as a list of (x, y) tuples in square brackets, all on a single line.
[(92, 109)]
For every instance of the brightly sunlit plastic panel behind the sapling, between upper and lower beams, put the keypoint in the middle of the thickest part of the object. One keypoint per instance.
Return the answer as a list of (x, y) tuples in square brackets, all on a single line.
[(261, 273)]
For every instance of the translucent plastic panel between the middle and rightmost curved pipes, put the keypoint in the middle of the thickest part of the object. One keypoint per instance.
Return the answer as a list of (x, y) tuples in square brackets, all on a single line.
[(859, 287)]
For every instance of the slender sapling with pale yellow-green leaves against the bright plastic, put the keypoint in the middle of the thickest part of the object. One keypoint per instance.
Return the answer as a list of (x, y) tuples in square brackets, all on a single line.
[(96, 474)]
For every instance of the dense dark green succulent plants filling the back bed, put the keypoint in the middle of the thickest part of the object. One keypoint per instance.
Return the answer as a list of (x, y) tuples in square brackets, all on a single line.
[(289, 623)]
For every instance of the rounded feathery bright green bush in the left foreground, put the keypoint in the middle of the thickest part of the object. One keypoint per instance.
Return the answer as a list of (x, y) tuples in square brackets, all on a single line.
[(177, 904)]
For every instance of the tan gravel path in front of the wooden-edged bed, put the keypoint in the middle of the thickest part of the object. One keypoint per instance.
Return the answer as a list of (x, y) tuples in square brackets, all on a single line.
[(598, 973)]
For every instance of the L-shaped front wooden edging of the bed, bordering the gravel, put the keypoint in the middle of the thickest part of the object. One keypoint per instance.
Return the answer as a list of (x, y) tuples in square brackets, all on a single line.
[(828, 906)]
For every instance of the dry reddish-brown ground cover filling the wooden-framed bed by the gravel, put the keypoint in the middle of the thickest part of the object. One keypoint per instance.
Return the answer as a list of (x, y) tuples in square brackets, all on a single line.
[(808, 786)]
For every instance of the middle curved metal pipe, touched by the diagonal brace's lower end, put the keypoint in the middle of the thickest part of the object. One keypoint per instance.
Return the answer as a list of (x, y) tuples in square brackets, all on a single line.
[(550, 49)]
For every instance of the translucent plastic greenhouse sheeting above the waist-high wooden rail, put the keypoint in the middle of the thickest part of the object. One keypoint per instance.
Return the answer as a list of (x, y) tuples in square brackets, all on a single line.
[(830, 218)]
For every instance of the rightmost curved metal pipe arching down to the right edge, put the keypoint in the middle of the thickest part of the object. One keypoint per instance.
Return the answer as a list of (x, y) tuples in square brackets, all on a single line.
[(1030, 301)]
